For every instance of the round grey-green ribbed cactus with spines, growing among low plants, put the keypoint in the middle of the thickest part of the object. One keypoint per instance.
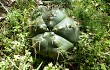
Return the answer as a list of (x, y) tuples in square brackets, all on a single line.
[(55, 33)]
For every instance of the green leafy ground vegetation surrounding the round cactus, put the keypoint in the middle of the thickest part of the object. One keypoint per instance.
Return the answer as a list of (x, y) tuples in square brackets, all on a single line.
[(91, 52)]
